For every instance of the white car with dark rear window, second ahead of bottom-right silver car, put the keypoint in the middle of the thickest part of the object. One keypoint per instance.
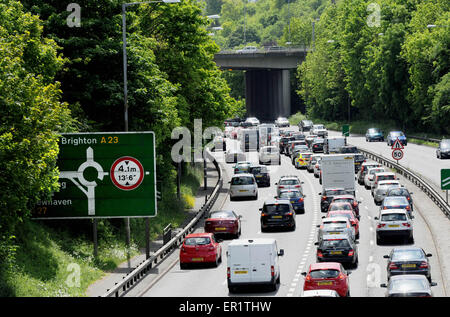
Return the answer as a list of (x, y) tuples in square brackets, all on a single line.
[(394, 223)]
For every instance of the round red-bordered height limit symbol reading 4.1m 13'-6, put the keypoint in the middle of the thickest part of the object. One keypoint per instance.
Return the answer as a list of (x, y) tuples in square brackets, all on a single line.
[(127, 173)]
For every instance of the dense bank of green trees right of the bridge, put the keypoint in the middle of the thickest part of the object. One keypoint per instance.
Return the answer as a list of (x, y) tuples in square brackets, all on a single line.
[(394, 69)]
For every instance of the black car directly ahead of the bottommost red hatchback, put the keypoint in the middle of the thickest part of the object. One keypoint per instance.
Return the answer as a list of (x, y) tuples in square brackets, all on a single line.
[(337, 248)]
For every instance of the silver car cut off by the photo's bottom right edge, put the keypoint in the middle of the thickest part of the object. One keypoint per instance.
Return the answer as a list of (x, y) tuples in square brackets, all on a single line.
[(413, 285)]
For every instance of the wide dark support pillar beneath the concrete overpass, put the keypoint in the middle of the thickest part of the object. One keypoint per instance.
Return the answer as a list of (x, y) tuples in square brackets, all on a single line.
[(268, 94)]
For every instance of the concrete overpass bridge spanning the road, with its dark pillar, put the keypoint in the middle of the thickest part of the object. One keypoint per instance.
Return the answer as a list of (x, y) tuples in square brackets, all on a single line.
[(267, 79)]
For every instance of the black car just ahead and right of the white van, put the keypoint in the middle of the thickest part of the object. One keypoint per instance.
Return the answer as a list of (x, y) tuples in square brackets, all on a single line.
[(277, 213)]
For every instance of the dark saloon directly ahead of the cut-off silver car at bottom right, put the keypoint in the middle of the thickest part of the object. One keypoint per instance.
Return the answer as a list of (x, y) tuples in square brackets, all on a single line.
[(408, 260)]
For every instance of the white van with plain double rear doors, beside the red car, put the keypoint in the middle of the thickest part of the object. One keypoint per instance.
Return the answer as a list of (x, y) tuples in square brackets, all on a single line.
[(253, 262)]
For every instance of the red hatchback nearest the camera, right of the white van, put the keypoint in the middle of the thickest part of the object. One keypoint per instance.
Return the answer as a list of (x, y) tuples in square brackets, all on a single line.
[(327, 275)]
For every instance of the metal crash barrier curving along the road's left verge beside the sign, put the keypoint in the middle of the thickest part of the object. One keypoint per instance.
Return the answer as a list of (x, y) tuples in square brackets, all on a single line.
[(142, 269)]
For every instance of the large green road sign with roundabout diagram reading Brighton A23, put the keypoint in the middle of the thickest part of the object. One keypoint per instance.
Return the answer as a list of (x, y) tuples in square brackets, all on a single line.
[(104, 175)]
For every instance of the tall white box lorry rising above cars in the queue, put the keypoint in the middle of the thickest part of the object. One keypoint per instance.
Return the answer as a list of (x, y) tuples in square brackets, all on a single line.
[(338, 171)]
